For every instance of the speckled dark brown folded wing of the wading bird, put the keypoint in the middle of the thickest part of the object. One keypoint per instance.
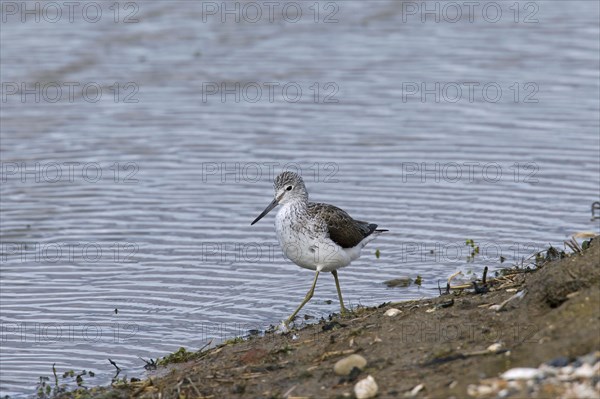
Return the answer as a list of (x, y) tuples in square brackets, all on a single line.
[(342, 229)]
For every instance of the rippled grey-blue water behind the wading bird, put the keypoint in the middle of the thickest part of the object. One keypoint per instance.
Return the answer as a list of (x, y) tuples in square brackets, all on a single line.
[(164, 236)]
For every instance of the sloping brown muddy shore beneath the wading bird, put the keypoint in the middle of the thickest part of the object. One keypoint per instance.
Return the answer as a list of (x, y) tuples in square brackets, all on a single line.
[(434, 348)]
